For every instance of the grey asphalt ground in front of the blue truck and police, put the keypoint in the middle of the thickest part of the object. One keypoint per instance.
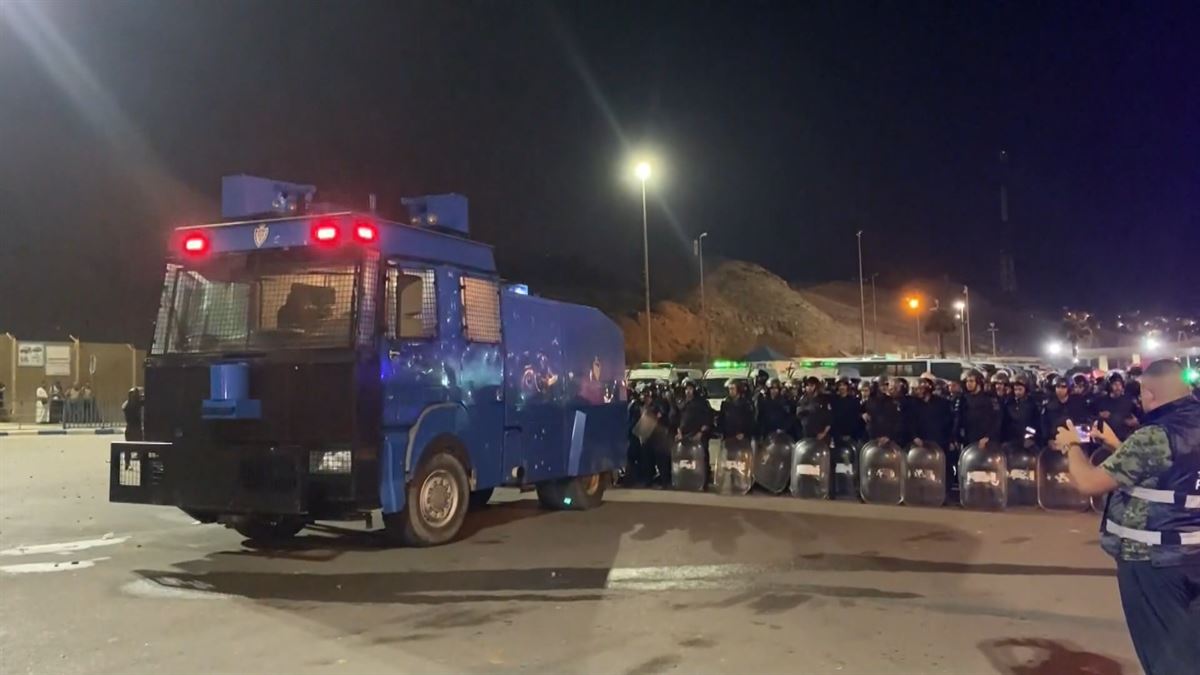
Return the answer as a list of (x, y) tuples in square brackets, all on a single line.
[(651, 583)]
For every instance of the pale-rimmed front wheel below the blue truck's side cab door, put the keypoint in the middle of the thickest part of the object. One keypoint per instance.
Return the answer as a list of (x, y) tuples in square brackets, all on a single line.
[(437, 504)]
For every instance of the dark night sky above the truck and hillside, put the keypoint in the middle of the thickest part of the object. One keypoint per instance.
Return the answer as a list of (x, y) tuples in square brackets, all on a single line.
[(779, 129)]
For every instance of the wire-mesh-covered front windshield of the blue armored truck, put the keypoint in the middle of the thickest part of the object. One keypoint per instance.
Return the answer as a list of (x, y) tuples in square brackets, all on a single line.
[(259, 301)]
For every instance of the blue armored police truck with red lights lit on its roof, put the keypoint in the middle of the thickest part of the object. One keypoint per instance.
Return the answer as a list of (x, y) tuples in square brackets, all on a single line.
[(313, 363)]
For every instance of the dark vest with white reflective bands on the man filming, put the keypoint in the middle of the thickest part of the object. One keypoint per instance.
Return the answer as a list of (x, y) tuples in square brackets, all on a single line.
[(1173, 523)]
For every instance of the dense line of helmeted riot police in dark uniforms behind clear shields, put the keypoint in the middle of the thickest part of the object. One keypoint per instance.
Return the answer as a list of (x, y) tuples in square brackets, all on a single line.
[(1016, 410)]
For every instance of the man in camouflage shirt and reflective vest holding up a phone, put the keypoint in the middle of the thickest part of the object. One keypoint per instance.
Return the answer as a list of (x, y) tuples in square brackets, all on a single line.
[(1153, 519)]
